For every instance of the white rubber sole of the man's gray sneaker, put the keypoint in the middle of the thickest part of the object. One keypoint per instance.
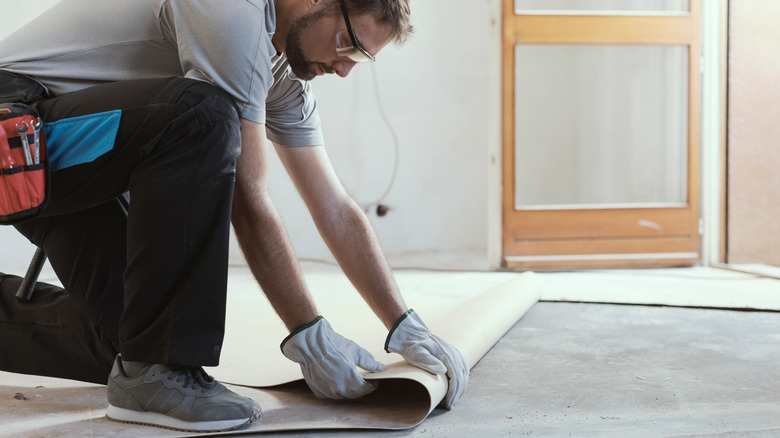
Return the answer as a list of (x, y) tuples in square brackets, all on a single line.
[(160, 420)]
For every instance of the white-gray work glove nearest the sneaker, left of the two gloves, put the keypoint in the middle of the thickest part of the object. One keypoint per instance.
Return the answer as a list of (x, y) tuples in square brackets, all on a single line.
[(328, 361)]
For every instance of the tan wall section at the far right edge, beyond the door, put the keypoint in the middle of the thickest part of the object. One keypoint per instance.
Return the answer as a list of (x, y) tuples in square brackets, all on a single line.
[(754, 132)]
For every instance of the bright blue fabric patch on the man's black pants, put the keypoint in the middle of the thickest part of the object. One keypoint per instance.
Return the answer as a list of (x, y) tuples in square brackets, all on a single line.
[(80, 140)]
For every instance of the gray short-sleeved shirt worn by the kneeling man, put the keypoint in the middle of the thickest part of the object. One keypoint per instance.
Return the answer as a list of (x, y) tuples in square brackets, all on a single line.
[(82, 43)]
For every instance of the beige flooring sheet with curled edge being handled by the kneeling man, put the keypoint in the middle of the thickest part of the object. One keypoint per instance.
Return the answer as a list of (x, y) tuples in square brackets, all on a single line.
[(470, 310)]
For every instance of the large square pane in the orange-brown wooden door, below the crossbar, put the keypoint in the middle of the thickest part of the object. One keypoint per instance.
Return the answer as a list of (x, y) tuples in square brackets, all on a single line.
[(600, 126)]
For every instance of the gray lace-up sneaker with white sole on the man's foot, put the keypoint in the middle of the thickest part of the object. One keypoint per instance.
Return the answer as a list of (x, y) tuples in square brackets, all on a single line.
[(176, 397)]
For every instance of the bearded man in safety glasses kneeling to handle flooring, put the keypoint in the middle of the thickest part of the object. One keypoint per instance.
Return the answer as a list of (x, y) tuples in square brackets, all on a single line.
[(172, 101)]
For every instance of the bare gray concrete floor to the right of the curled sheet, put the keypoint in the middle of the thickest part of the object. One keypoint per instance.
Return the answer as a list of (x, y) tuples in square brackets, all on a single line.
[(594, 370)]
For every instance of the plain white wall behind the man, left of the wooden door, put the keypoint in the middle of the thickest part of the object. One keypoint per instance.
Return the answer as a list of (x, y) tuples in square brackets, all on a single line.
[(439, 93)]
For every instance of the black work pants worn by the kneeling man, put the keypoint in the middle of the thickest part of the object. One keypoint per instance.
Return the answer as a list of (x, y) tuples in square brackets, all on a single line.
[(150, 284)]
